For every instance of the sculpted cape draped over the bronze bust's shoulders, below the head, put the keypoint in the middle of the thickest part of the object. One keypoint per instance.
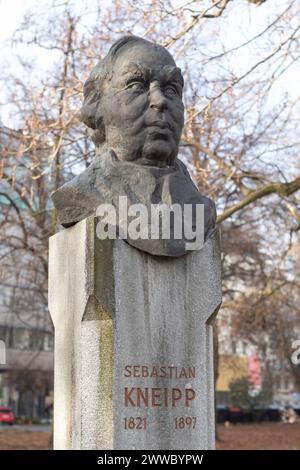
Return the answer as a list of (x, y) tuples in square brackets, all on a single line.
[(107, 178)]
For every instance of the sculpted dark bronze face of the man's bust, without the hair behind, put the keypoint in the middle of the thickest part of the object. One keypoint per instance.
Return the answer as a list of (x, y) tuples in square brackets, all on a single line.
[(142, 105)]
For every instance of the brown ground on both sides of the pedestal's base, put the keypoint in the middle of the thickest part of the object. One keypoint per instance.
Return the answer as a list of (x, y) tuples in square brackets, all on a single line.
[(268, 436)]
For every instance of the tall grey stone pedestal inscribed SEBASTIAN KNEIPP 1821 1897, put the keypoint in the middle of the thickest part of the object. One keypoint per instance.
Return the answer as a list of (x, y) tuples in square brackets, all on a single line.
[(133, 343)]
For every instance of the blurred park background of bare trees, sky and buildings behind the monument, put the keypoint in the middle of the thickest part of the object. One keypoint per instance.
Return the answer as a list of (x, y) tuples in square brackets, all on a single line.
[(241, 63)]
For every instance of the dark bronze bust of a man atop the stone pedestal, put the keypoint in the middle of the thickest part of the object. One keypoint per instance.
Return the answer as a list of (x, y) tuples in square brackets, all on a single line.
[(133, 104)]
